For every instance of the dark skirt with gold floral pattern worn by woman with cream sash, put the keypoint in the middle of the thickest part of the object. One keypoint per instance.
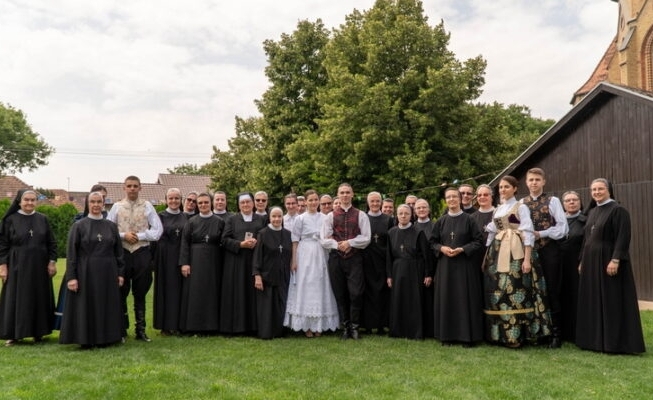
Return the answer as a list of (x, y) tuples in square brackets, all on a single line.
[(516, 304)]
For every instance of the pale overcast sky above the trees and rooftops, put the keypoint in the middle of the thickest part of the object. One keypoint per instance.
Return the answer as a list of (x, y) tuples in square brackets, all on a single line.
[(122, 88)]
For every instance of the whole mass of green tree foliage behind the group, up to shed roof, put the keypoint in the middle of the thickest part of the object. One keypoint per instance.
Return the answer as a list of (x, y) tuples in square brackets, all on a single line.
[(379, 102)]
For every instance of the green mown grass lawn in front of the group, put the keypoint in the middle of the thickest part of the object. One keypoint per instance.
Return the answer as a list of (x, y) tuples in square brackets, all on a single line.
[(320, 368)]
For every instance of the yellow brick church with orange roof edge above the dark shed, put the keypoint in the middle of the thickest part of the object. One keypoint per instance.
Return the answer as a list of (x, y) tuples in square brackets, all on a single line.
[(628, 61)]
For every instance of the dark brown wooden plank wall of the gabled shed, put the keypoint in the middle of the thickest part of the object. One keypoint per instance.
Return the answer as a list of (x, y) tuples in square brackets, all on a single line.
[(612, 140)]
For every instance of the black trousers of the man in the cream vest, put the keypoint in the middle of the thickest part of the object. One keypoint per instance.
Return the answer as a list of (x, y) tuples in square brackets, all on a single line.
[(138, 280)]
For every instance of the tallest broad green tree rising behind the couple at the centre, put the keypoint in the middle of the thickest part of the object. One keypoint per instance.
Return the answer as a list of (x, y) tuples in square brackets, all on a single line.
[(396, 108)]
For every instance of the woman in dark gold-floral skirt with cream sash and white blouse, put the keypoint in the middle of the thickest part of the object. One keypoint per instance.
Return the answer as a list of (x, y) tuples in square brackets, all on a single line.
[(515, 293)]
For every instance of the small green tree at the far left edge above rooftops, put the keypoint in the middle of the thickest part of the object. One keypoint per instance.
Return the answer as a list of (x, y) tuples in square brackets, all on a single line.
[(20, 147)]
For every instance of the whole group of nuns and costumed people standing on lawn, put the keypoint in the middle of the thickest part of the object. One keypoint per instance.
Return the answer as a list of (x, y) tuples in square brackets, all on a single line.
[(535, 270)]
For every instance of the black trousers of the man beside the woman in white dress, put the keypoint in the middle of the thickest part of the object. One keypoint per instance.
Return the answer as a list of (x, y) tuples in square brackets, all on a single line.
[(348, 284)]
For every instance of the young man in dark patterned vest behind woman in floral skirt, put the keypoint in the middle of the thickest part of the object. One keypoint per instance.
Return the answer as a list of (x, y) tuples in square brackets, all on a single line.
[(550, 225)]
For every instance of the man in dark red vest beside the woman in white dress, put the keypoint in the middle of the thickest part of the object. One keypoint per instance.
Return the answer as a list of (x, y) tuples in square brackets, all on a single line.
[(345, 232)]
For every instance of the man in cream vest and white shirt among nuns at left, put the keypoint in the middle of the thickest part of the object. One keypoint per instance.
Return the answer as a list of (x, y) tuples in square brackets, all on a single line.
[(138, 225)]
